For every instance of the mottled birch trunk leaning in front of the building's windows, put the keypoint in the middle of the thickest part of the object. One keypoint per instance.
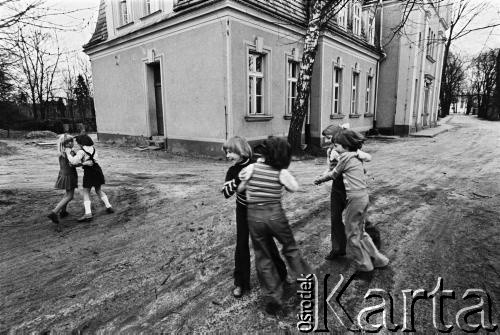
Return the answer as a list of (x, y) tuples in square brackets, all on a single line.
[(299, 109)]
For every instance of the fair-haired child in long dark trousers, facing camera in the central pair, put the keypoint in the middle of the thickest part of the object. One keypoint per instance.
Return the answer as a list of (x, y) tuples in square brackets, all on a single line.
[(238, 150)]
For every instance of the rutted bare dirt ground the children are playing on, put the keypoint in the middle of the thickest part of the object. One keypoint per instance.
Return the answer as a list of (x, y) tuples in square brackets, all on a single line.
[(164, 260)]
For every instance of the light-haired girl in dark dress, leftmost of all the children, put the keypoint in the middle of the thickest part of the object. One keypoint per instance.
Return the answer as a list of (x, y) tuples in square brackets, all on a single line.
[(66, 180)]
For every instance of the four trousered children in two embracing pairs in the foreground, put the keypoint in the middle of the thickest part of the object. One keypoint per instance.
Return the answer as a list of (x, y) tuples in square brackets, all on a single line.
[(259, 186)]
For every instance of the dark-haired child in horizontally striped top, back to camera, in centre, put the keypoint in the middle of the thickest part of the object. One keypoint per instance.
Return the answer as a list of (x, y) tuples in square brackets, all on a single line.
[(264, 183)]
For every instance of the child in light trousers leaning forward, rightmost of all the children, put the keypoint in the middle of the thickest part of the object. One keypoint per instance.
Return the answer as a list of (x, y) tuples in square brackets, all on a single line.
[(359, 244)]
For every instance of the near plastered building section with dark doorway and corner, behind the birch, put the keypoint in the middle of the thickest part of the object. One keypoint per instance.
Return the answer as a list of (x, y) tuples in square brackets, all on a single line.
[(197, 72)]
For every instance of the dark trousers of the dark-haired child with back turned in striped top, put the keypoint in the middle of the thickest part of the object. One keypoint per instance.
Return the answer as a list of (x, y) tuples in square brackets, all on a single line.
[(265, 222)]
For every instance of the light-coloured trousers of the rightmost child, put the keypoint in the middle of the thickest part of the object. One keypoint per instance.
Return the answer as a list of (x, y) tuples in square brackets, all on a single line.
[(359, 244)]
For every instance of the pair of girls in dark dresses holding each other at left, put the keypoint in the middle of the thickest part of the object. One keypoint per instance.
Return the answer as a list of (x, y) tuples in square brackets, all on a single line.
[(86, 157)]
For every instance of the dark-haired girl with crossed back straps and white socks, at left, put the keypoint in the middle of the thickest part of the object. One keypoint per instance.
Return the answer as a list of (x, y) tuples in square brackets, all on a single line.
[(92, 174)]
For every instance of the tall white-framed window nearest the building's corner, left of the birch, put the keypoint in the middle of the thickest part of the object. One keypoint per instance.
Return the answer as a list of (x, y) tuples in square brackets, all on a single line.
[(256, 83)]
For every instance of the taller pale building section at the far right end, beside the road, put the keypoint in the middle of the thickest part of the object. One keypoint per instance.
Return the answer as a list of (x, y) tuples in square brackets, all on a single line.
[(410, 70)]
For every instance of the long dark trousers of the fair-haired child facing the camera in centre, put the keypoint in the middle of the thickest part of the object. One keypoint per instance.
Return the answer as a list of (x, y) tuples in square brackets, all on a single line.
[(242, 252)]
